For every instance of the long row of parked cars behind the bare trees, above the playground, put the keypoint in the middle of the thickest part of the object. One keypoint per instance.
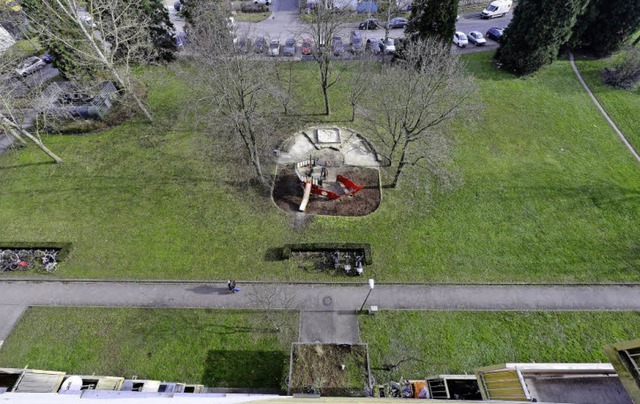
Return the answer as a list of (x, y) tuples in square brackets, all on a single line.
[(290, 46)]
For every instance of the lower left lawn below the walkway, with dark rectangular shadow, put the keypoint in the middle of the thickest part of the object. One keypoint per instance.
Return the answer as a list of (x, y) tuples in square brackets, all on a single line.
[(211, 347)]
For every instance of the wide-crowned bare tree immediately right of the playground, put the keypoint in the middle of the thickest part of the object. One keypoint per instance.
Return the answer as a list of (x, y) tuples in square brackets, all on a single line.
[(416, 97)]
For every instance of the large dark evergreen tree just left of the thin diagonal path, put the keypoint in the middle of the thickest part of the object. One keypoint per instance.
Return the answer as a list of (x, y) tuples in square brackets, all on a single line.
[(537, 31)]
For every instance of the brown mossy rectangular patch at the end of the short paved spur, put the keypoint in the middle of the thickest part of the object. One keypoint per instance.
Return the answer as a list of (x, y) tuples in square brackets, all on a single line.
[(329, 370)]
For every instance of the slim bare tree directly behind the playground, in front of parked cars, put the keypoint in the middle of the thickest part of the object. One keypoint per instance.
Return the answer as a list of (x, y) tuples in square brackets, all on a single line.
[(323, 28)]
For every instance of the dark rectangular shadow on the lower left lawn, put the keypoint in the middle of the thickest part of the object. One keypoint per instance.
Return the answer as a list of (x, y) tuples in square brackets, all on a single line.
[(251, 369)]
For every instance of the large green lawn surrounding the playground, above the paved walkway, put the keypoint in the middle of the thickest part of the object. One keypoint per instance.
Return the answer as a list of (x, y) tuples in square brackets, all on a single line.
[(546, 193)]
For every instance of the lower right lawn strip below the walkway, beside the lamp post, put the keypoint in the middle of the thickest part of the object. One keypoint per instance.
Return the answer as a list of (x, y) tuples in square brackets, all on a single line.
[(459, 342)]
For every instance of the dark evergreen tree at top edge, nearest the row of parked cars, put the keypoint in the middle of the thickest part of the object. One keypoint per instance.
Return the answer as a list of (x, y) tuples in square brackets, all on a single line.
[(433, 18)]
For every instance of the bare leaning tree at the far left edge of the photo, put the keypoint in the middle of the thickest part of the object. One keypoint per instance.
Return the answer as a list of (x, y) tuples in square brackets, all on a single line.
[(10, 101)]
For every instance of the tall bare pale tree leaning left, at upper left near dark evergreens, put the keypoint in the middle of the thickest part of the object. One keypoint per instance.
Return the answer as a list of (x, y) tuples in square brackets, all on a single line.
[(108, 34)]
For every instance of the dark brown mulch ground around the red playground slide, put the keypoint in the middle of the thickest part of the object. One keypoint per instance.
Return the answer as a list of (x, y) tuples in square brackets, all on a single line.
[(288, 192)]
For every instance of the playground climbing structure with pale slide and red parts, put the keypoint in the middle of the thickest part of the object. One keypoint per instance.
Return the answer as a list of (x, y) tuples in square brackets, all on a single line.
[(319, 178)]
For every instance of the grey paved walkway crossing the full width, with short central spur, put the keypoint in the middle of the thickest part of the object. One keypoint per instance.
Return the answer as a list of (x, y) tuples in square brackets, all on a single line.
[(16, 295)]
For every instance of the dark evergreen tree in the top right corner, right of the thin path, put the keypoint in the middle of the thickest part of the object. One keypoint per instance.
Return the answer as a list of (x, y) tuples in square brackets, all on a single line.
[(605, 25)]
